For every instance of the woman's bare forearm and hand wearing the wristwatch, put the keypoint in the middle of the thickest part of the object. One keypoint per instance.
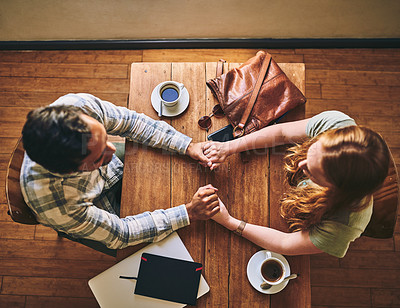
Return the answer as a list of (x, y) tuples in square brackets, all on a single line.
[(297, 243)]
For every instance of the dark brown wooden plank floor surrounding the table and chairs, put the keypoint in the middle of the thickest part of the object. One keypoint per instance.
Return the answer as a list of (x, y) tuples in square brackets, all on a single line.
[(38, 269)]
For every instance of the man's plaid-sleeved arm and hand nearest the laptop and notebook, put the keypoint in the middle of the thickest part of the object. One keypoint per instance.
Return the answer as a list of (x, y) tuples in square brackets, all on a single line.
[(90, 222)]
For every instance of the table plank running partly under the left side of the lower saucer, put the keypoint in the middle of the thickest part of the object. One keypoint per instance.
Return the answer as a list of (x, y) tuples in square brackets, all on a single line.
[(247, 200)]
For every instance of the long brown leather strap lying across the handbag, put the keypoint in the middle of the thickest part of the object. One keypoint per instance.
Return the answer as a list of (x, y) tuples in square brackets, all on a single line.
[(238, 131)]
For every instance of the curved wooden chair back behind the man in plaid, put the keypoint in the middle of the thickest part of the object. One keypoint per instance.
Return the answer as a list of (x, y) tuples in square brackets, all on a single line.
[(17, 208)]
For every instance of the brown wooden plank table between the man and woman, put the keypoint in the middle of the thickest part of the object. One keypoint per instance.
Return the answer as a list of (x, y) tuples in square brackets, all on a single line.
[(156, 179)]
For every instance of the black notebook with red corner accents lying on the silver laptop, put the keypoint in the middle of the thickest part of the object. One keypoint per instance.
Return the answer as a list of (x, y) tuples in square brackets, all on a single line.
[(168, 278)]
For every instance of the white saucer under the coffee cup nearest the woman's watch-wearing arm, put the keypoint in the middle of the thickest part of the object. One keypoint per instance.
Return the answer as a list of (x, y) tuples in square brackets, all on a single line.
[(255, 277)]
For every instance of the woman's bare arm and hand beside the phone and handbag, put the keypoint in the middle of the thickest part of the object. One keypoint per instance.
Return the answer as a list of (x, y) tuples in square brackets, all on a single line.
[(269, 136)]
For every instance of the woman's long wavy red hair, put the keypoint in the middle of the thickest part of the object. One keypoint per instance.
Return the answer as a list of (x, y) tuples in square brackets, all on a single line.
[(355, 160)]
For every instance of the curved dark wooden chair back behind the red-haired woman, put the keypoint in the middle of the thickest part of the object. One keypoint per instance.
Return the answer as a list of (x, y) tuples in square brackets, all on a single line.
[(386, 203)]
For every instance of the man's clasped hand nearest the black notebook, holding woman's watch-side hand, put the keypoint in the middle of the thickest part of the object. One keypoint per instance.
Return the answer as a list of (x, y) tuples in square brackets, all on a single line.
[(204, 203)]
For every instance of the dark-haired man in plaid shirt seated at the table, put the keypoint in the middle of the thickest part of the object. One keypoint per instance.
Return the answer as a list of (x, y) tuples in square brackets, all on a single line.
[(71, 178)]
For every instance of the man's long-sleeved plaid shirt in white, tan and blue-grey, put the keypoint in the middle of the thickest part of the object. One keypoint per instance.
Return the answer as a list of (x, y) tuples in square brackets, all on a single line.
[(78, 204)]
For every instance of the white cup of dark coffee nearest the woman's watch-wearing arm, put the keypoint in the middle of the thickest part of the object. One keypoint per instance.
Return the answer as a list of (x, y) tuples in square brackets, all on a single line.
[(272, 270)]
